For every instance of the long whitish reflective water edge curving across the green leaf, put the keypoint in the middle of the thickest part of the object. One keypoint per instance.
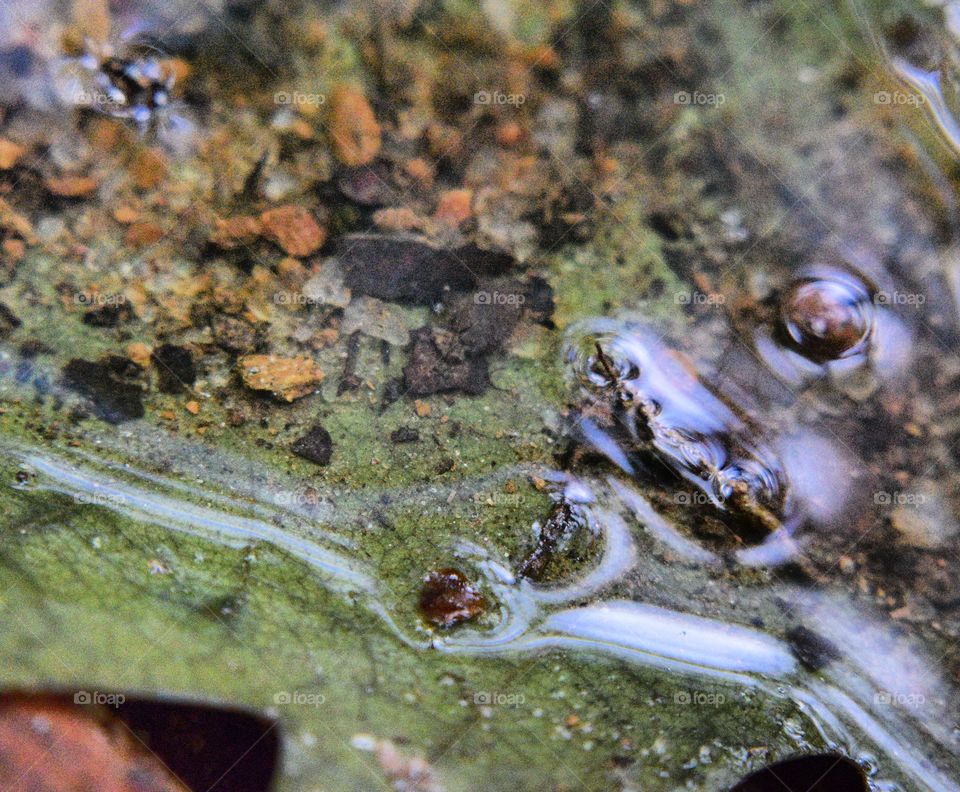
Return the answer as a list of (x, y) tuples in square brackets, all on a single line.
[(853, 701)]
